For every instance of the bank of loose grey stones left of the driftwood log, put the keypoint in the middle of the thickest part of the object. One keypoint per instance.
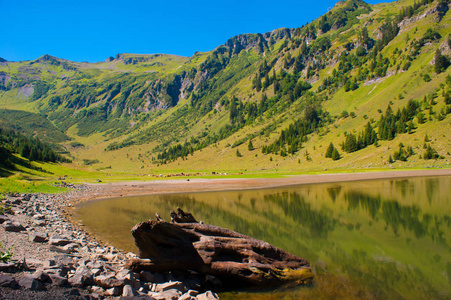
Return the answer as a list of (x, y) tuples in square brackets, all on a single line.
[(71, 258)]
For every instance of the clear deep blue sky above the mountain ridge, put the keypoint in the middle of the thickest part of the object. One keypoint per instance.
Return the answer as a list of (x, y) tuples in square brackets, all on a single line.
[(92, 30)]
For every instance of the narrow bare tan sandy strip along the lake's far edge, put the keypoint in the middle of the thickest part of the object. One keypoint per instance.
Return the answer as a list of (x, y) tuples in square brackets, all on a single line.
[(192, 184)]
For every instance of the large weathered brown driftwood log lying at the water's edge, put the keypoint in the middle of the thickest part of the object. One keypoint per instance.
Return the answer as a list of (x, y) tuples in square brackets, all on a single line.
[(185, 244)]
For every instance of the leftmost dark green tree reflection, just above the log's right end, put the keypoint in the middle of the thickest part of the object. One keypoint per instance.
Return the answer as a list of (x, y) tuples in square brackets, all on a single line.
[(294, 206)]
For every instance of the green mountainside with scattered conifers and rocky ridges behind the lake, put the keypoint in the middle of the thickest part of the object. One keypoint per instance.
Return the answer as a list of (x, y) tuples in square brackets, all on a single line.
[(363, 86)]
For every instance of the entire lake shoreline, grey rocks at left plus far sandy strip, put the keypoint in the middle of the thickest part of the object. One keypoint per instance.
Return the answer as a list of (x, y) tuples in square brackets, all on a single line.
[(52, 242)]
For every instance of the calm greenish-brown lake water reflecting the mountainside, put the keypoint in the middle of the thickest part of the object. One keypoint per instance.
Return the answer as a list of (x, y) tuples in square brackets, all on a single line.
[(367, 239)]
